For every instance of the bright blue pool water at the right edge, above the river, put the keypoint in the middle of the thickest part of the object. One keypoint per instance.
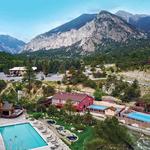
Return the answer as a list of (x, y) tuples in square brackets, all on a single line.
[(139, 116)]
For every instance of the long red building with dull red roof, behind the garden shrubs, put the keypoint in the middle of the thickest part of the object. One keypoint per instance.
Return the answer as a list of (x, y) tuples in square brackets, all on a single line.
[(80, 101)]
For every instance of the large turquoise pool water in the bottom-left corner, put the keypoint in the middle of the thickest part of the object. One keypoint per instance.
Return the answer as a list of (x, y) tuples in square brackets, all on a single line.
[(21, 137)]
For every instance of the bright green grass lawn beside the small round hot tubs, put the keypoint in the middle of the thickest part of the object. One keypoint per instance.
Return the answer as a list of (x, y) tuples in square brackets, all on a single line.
[(84, 136)]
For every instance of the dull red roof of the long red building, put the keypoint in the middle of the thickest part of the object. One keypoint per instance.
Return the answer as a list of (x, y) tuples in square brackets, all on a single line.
[(72, 96)]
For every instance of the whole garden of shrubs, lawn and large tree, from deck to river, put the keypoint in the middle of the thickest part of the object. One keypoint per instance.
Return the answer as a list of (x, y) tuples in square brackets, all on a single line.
[(91, 133)]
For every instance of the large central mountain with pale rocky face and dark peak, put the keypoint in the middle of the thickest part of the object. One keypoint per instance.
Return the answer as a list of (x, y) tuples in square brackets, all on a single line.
[(86, 33)]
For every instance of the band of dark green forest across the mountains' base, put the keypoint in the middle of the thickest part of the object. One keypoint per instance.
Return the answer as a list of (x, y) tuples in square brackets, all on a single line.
[(131, 55)]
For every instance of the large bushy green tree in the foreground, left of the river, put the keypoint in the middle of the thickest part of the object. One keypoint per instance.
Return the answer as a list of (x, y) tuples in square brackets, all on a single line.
[(111, 136)]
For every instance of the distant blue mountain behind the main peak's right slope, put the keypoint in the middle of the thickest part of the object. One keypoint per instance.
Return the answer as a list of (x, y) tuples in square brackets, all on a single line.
[(140, 21)]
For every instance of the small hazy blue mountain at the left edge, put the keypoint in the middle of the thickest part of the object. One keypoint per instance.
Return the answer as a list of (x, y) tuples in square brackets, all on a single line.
[(10, 44)]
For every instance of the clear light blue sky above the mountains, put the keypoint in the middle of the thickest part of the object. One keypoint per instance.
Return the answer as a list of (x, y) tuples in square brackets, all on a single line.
[(25, 19)]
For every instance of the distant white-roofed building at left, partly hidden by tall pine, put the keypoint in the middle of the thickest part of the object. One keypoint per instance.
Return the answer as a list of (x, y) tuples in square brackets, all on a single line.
[(19, 71)]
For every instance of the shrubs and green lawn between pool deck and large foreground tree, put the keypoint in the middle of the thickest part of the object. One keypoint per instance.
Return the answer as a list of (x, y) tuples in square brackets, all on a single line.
[(80, 125)]
